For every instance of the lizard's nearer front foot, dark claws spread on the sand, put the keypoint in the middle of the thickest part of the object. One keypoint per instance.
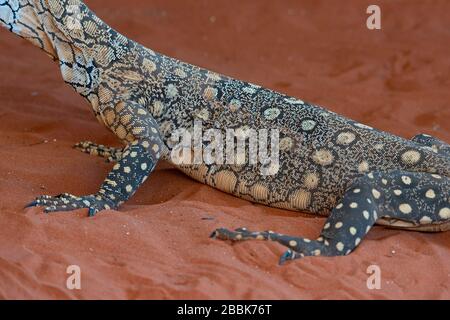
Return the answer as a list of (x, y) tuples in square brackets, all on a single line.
[(68, 202)]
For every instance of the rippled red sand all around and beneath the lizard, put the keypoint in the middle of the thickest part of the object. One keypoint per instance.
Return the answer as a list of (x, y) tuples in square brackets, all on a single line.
[(157, 246)]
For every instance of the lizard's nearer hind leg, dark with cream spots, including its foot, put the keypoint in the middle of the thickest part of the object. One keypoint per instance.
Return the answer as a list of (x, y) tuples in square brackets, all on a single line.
[(420, 199)]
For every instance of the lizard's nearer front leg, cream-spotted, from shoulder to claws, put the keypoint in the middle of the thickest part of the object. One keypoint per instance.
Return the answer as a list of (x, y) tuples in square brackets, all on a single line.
[(138, 128)]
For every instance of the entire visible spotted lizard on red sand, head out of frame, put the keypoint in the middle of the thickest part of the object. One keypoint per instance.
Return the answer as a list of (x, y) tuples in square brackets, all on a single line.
[(328, 165)]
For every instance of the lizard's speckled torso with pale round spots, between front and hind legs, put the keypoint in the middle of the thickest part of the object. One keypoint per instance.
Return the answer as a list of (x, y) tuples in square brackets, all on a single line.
[(321, 152)]
